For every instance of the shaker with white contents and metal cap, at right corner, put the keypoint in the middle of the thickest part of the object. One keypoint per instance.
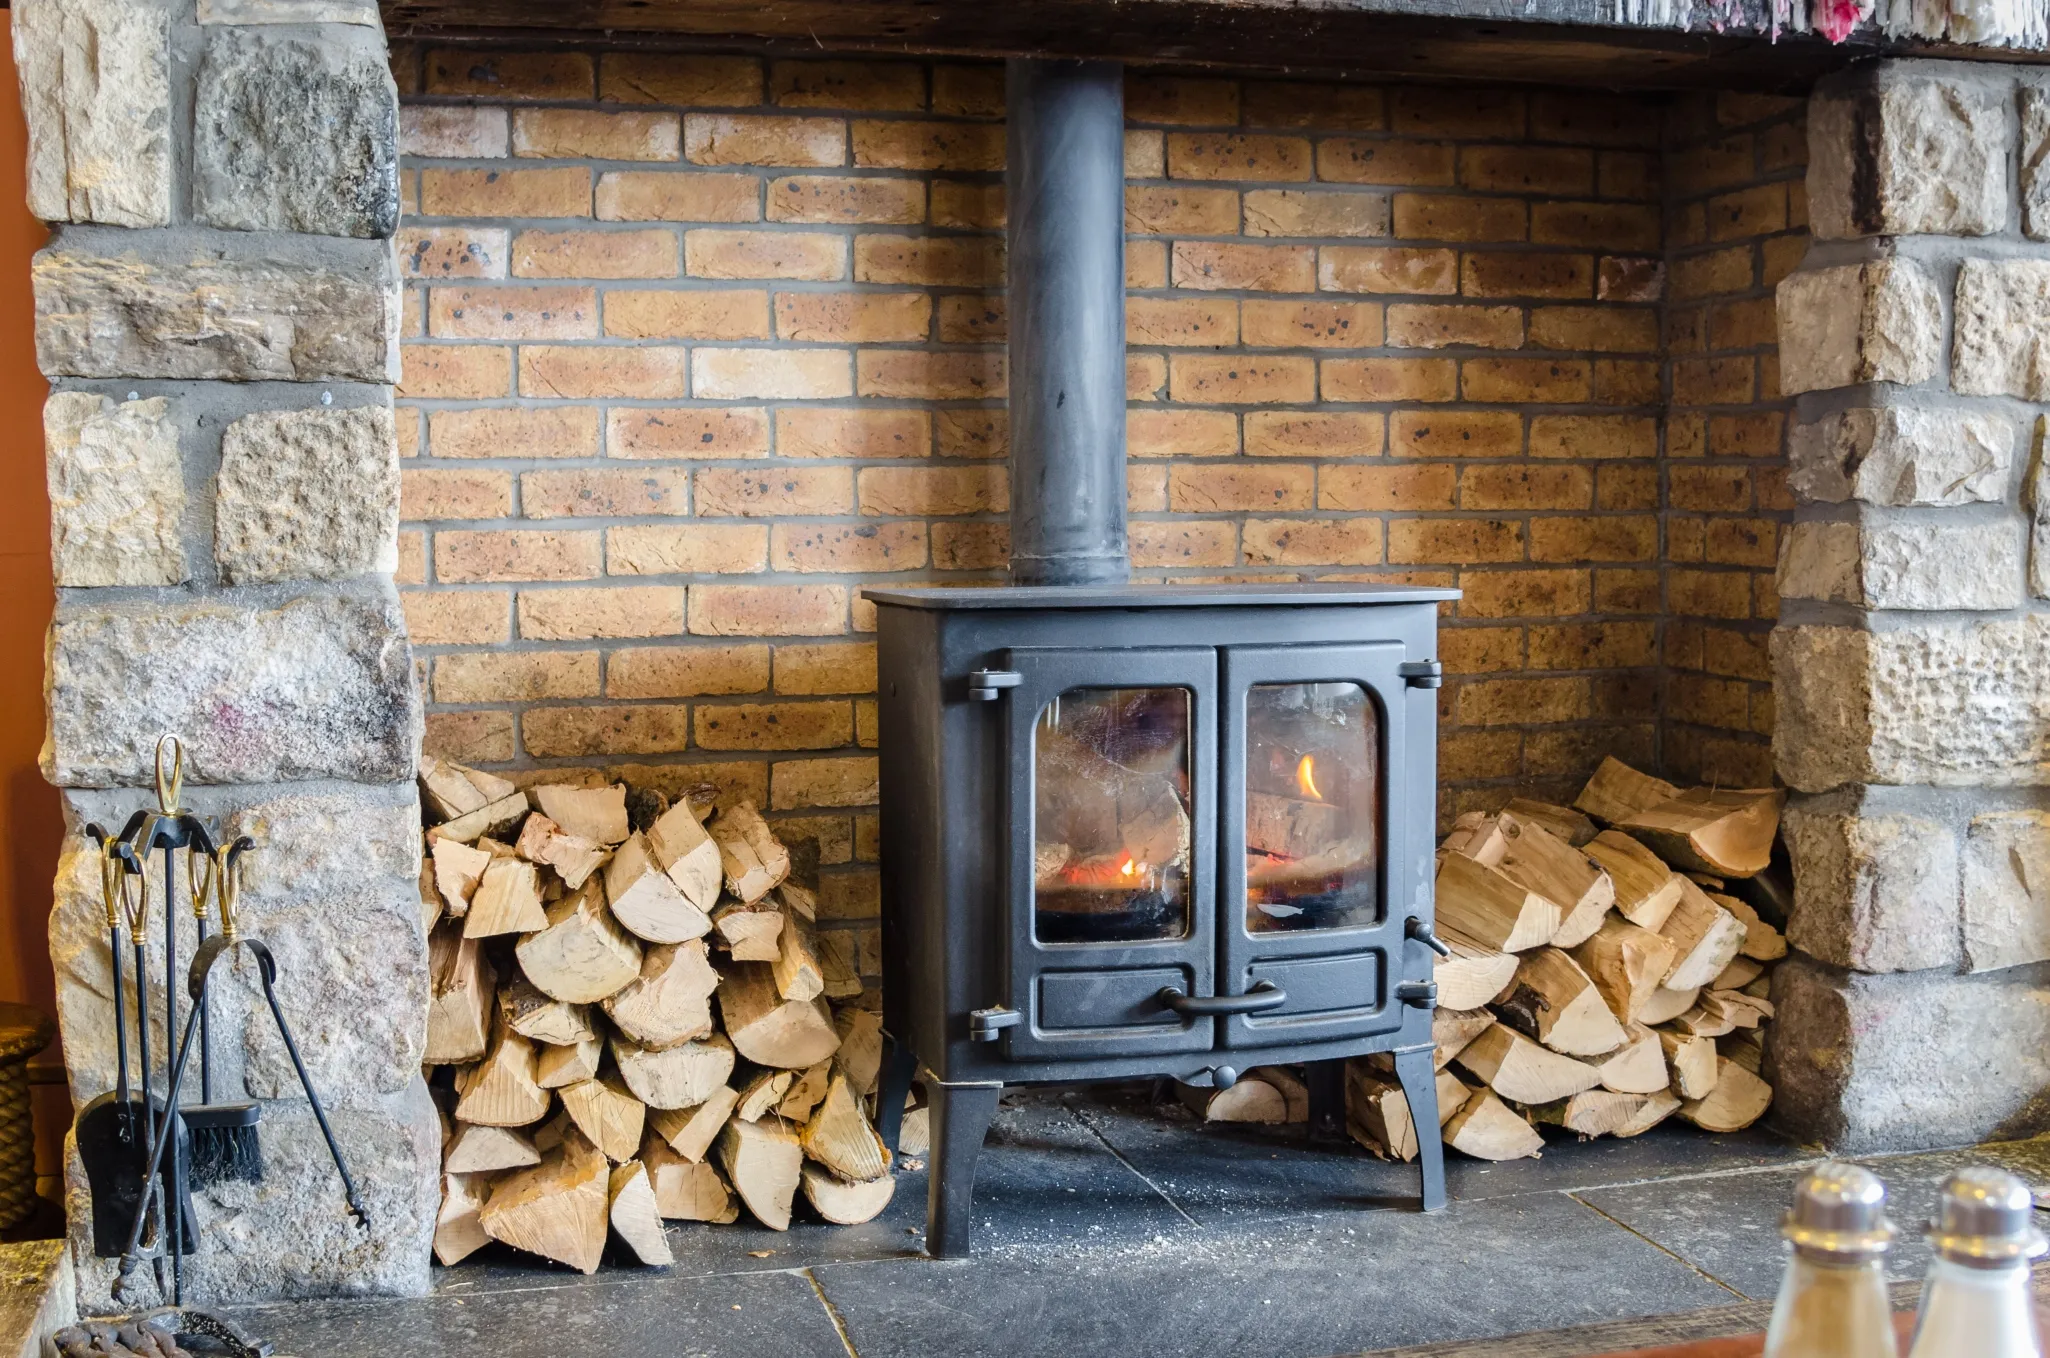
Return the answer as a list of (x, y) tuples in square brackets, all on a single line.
[(1977, 1297)]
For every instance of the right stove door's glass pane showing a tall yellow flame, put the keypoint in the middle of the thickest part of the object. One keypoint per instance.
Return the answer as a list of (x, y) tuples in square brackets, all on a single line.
[(1313, 807)]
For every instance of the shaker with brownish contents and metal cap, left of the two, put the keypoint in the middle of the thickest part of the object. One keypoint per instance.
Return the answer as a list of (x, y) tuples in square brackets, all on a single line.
[(1834, 1295)]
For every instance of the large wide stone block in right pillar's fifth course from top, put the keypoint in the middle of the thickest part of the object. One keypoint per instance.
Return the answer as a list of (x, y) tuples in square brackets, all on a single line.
[(1953, 705)]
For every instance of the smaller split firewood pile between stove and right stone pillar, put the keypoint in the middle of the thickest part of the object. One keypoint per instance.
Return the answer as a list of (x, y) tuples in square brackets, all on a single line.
[(1606, 971)]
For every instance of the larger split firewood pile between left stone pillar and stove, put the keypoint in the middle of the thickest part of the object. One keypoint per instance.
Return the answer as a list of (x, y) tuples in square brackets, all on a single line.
[(639, 1021)]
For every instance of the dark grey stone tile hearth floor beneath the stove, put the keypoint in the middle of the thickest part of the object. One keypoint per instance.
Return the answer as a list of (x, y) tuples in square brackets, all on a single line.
[(1116, 1228)]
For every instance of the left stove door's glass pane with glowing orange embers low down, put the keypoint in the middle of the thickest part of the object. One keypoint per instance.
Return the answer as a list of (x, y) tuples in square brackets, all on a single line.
[(1112, 815)]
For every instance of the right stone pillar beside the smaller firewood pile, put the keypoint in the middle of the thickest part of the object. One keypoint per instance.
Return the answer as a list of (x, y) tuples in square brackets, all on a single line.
[(1912, 666)]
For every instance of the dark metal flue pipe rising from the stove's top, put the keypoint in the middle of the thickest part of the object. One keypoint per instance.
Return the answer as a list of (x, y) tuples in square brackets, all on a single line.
[(1065, 186)]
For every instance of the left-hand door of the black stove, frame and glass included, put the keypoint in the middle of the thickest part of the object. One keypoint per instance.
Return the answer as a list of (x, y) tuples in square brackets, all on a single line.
[(1112, 764)]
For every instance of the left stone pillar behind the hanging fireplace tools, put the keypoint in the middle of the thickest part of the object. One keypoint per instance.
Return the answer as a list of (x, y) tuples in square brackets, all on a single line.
[(218, 313)]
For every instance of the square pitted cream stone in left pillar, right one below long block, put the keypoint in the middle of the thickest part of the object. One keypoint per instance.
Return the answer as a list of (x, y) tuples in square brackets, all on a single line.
[(306, 495)]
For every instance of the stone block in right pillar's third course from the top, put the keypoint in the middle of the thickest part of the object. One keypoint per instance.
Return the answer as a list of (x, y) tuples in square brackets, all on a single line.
[(1903, 456)]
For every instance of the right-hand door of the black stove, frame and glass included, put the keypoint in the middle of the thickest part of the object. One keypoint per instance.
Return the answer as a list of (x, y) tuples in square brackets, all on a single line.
[(1315, 834)]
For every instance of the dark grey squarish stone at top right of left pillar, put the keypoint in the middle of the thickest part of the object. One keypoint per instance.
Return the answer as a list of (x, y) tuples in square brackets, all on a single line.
[(296, 134)]
